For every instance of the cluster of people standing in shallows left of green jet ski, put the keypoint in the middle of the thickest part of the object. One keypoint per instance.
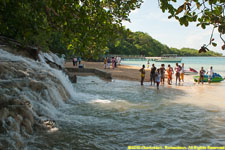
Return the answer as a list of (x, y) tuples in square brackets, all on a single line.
[(157, 76)]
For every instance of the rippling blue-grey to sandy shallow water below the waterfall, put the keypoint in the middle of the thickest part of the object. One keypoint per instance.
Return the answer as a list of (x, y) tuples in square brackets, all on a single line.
[(117, 114)]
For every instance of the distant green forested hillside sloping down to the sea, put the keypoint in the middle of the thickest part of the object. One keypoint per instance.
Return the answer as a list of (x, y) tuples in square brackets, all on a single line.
[(139, 43)]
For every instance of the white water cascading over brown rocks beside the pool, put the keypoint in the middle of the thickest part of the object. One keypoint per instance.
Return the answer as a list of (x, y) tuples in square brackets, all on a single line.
[(31, 91)]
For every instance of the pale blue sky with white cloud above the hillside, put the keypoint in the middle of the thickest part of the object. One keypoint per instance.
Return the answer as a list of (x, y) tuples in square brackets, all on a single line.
[(150, 19)]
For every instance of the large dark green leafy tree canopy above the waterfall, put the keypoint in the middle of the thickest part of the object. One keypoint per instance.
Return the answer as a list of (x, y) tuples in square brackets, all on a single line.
[(81, 26)]
